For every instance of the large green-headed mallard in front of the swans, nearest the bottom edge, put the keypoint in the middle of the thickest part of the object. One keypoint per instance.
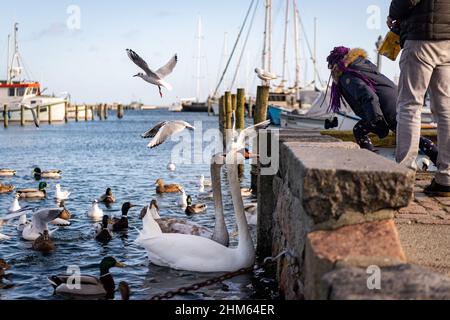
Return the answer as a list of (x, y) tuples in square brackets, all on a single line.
[(90, 287)]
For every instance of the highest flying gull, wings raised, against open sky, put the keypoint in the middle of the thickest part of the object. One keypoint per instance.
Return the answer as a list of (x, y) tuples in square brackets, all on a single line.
[(156, 78)]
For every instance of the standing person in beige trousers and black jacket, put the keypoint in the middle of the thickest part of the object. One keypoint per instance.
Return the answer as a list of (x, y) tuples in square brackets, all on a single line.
[(425, 64)]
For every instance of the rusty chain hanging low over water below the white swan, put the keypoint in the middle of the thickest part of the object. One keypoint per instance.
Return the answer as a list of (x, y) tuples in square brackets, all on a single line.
[(195, 287)]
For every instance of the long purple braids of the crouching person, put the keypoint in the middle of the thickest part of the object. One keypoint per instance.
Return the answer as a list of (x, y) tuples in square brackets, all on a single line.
[(337, 59)]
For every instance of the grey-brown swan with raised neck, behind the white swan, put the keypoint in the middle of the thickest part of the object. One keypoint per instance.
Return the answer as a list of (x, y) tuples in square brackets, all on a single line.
[(183, 226)]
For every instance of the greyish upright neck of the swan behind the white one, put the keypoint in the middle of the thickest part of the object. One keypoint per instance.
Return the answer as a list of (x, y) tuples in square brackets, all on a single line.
[(220, 229)]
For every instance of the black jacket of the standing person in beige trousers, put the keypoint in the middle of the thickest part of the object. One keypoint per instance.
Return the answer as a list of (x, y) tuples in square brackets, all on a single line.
[(422, 19)]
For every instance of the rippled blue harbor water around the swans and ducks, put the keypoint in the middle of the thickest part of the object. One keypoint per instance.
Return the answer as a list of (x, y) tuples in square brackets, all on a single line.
[(94, 156)]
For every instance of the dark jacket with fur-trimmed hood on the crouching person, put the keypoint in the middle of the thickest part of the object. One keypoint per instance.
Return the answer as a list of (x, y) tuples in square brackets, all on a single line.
[(370, 106)]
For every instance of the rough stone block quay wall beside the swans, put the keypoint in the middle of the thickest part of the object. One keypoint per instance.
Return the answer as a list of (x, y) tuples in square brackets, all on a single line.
[(331, 207)]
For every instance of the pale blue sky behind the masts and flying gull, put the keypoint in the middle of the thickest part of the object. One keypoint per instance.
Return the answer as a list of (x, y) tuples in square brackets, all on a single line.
[(79, 46)]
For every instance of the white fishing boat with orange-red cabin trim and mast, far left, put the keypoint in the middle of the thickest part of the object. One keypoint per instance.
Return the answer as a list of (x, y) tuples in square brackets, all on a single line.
[(27, 96)]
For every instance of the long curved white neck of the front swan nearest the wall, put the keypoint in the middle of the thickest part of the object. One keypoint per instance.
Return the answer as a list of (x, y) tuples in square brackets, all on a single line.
[(245, 239)]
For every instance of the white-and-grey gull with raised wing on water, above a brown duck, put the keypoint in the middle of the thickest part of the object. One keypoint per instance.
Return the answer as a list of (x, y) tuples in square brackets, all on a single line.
[(39, 223)]
